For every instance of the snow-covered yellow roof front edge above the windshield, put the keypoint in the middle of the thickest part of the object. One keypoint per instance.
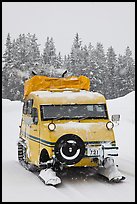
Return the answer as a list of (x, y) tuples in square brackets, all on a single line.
[(67, 97)]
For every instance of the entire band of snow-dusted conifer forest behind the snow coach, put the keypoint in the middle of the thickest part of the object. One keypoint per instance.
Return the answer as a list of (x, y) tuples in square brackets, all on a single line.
[(110, 73)]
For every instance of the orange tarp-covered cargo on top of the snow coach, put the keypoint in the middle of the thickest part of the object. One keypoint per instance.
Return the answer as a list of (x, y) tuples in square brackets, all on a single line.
[(44, 83)]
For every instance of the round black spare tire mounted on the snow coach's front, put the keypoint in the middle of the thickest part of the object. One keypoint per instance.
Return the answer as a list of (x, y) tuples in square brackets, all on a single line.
[(69, 149)]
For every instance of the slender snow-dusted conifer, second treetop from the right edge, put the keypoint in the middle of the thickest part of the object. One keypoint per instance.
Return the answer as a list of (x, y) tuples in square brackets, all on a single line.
[(111, 77)]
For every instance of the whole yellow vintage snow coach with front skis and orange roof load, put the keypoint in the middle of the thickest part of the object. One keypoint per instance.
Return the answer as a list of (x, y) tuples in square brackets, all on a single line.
[(64, 125)]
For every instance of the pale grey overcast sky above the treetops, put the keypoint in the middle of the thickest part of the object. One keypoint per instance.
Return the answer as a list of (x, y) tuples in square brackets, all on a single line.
[(111, 23)]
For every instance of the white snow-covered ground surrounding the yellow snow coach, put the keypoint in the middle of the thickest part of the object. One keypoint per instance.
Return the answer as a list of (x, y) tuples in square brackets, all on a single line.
[(20, 185)]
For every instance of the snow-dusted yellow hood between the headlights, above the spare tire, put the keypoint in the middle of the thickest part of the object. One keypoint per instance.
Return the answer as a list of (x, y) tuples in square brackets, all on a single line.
[(87, 131)]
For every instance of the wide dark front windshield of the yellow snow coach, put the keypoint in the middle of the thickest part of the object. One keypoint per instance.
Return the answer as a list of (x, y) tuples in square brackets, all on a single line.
[(76, 111)]
